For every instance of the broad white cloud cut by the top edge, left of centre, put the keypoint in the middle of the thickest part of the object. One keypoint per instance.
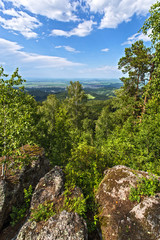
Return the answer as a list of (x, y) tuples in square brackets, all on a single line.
[(61, 10)]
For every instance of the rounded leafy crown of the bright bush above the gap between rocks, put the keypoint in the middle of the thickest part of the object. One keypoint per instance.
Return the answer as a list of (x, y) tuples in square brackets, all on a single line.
[(85, 168)]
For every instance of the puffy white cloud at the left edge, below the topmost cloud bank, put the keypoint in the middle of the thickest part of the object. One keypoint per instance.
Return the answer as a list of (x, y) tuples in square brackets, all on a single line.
[(20, 22)]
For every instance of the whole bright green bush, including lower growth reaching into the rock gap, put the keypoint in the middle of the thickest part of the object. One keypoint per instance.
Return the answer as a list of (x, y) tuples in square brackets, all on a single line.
[(85, 170)]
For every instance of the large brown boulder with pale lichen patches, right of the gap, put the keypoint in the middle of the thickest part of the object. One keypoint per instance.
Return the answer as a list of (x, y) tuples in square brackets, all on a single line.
[(120, 218)]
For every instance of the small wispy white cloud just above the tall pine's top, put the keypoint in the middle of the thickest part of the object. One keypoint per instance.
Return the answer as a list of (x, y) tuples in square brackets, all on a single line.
[(137, 37)]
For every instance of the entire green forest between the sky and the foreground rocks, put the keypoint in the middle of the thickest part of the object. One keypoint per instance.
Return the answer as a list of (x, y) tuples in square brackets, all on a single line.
[(82, 137)]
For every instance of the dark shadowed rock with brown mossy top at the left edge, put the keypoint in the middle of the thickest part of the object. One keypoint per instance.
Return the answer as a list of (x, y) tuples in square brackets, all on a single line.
[(11, 188)]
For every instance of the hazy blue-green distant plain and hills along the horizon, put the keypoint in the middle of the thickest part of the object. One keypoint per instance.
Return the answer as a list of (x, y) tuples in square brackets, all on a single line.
[(96, 90)]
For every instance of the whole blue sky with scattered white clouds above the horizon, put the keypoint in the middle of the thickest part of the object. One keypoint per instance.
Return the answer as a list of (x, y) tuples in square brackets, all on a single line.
[(69, 38)]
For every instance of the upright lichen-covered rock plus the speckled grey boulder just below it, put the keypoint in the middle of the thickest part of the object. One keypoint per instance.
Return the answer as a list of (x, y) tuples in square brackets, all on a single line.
[(62, 225)]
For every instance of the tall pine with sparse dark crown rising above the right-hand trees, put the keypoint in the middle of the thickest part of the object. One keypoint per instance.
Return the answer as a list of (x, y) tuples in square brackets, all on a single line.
[(137, 64)]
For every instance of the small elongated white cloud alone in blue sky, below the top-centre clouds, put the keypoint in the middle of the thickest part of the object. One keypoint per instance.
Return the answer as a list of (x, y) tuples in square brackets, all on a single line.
[(82, 30)]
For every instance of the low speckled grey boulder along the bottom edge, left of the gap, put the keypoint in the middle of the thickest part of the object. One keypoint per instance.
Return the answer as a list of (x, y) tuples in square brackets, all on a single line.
[(65, 226)]
